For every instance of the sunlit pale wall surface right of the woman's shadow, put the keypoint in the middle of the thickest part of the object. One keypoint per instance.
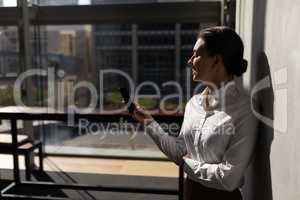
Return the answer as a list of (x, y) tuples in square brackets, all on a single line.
[(282, 46)]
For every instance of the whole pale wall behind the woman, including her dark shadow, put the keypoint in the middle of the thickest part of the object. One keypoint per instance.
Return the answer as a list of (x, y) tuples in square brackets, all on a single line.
[(271, 29)]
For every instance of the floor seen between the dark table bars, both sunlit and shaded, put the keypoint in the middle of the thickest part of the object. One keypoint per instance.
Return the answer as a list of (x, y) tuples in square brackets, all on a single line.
[(148, 174)]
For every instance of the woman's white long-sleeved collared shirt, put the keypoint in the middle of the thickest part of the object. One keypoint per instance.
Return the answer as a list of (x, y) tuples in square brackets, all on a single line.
[(219, 142)]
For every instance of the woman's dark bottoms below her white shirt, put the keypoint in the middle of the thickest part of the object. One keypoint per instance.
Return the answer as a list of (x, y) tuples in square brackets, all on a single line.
[(196, 191)]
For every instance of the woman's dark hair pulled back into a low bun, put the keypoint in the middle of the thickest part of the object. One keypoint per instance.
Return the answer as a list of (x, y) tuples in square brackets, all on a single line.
[(224, 41)]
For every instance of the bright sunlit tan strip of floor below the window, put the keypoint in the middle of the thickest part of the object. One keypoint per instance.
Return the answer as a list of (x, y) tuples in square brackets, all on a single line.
[(101, 166)]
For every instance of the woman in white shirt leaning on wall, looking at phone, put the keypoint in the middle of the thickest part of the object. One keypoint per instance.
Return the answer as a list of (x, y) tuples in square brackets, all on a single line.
[(217, 136)]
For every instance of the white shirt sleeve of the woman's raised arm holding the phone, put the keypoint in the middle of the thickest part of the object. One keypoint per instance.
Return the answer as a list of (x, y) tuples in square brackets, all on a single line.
[(173, 147)]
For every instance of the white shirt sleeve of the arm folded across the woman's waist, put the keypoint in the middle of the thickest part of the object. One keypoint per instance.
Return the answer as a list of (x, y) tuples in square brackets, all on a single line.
[(228, 174)]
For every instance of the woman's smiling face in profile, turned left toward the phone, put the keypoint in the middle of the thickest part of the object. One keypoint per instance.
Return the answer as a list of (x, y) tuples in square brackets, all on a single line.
[(202, 63)]
